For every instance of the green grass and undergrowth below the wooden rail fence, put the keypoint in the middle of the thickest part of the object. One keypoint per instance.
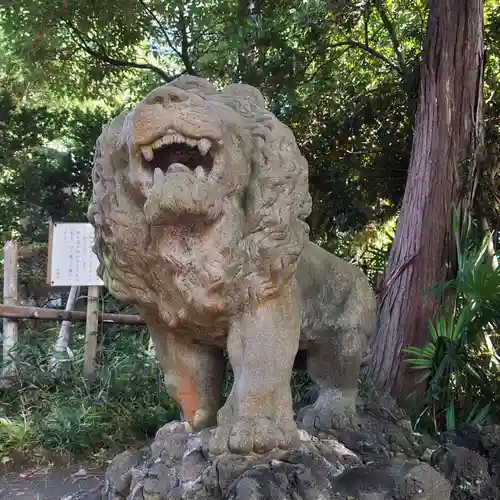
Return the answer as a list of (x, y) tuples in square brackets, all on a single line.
[(123, 402)]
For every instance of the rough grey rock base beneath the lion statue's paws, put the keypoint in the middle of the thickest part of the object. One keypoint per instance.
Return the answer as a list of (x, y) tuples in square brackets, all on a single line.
[(380, 459)]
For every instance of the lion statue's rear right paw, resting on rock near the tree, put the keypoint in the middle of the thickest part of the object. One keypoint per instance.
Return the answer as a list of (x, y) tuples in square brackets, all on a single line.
[(325, 418)]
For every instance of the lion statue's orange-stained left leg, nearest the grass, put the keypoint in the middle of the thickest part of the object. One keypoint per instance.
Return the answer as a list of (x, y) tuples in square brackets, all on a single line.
[(193, 376)]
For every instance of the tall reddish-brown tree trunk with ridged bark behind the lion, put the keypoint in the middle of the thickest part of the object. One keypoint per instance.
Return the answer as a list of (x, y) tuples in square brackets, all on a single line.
[(447, 140)]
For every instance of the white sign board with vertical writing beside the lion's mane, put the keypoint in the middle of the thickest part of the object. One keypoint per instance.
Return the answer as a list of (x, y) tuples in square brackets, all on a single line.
[(72, 261)]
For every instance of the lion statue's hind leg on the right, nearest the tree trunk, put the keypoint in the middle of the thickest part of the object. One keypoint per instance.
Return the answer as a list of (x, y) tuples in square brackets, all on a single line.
[(334, 367)]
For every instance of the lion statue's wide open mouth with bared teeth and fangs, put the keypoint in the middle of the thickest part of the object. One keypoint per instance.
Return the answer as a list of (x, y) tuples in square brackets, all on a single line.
[(175, 153)]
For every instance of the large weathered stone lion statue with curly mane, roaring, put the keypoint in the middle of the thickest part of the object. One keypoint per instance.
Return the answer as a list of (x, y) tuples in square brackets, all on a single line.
[(200, 200)]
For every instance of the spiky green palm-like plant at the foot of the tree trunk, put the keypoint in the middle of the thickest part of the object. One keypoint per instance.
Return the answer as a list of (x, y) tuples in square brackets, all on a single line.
[(461, 362)]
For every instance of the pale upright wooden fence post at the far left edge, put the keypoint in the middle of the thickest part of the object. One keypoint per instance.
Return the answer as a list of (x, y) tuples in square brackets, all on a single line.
[(10, 298)]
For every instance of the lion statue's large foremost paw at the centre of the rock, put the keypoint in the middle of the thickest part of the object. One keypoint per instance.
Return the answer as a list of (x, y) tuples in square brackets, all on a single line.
[(253, 436)]
